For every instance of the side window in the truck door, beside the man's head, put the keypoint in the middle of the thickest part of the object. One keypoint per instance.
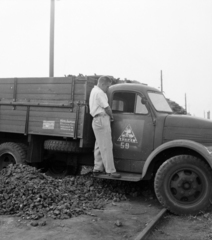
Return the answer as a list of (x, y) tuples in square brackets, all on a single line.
[(128, 103)]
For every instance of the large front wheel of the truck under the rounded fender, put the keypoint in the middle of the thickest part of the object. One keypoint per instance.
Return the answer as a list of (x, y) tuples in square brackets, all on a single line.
[(183, 185)]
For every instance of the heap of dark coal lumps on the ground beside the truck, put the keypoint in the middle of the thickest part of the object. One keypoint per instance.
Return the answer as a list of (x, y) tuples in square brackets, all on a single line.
[(30, 194)]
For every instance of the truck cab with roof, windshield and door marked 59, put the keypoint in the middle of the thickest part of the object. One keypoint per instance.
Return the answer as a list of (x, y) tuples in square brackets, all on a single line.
[(136, 120)]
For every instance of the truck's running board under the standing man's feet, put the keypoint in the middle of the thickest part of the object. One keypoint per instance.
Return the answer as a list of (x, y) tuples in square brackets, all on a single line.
[(130, 177)]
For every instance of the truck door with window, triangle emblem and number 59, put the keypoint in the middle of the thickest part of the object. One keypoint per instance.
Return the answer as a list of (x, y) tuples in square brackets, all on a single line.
[(132, 131)]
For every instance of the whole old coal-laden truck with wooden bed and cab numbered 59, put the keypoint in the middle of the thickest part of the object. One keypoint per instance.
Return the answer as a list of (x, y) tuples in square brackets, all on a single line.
[(46, 122)]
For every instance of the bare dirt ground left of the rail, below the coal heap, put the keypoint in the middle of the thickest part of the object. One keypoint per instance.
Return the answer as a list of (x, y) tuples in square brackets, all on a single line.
[(122, 220)]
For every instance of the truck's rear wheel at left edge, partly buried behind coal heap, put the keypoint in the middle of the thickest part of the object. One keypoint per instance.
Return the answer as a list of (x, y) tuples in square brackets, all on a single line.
[(11, 153)]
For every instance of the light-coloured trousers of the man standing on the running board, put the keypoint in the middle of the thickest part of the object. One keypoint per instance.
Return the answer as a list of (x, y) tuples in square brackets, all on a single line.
[(103, 151)]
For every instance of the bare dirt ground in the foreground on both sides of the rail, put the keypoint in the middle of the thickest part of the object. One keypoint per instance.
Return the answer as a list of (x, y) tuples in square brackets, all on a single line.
[(122, 220)]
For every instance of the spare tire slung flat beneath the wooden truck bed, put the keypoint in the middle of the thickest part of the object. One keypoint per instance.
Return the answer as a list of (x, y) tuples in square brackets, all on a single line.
[(61, 146)]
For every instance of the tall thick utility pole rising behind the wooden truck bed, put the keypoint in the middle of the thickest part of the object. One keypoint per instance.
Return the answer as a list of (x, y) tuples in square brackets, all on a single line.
[(51, 49)]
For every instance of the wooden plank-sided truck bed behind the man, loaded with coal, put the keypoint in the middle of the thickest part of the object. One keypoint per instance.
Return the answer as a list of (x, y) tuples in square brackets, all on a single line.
[(46, 106)]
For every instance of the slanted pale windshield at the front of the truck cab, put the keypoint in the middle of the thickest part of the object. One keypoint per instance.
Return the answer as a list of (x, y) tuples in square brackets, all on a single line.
[(159, 102)]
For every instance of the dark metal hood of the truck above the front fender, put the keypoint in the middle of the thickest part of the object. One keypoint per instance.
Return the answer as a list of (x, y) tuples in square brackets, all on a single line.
[(189, 128)]
